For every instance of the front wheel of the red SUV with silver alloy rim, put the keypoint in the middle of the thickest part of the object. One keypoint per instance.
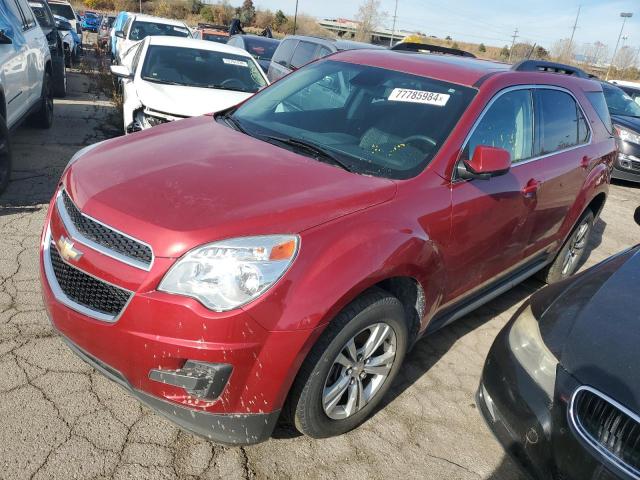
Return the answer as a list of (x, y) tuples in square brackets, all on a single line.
[(325, 397)]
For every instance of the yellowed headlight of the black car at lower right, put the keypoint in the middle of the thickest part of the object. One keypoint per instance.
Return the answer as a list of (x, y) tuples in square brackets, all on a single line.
[(533, 354)]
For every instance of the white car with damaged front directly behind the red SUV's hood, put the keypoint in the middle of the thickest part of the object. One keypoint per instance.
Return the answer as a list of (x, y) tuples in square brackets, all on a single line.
[(168, 78)]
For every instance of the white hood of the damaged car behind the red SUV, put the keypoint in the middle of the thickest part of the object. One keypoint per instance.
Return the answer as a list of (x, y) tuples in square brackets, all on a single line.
[(186, 101)]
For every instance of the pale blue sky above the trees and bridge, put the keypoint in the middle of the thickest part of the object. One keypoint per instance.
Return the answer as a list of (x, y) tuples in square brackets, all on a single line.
[(491, 22)]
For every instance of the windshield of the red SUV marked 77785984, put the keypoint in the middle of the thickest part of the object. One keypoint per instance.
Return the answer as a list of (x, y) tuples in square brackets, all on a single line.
[(376, 121)]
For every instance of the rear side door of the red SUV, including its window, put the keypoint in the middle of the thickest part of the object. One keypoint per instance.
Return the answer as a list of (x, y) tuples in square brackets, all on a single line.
[(562, 160)]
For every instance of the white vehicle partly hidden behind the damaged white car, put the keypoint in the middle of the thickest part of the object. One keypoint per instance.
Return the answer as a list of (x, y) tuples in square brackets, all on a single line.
[(139, 26)]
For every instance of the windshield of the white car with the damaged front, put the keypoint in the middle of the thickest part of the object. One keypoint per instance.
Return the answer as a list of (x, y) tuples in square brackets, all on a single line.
[(193, 67)]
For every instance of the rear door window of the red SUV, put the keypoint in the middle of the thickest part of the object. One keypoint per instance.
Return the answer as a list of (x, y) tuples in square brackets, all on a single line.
[(559, 124)]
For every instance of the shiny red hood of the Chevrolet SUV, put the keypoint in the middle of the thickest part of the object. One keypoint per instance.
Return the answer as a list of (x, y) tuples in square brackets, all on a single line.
[(194, 181)]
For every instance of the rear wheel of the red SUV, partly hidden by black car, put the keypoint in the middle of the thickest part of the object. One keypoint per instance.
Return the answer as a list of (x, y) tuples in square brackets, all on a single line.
[(571, 255)]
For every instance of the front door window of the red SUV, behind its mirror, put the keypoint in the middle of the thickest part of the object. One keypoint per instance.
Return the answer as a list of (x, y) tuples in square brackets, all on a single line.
[(508, 124)]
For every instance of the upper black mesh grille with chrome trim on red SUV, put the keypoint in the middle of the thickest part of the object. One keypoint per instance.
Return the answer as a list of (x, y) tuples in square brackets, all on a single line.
[(105, 236)]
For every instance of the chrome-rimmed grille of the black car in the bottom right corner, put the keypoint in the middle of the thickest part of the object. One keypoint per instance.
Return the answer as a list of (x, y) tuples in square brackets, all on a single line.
[(609, 427)]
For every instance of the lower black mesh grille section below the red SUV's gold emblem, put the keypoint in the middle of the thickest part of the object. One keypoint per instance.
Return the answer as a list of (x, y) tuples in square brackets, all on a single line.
[(85, 290)]
